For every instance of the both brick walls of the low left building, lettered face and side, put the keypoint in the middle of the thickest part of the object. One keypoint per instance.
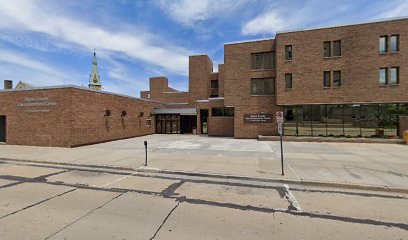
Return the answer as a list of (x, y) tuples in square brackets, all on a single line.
[(77, 118)]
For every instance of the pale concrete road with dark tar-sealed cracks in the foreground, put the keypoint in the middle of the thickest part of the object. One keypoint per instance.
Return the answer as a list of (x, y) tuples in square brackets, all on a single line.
[(62, 201)]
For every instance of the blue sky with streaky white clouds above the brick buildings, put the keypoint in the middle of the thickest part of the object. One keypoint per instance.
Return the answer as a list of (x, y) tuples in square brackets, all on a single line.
[(51, 42)]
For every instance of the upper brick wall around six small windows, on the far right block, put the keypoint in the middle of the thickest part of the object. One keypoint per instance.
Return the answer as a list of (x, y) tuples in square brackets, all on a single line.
[(360, 63)]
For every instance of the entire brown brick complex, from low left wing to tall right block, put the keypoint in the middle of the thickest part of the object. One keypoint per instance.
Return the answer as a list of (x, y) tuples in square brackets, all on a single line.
[(349, 81)]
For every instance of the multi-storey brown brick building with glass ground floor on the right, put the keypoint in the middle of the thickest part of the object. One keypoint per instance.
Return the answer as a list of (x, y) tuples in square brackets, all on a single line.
[(346, 81)]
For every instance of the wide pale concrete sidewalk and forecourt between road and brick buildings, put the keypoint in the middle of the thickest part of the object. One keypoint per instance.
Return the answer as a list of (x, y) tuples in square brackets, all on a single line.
[(348, 163)]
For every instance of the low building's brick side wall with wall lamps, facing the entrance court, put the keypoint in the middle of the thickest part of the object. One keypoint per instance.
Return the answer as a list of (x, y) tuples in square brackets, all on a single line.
[(89, 124)]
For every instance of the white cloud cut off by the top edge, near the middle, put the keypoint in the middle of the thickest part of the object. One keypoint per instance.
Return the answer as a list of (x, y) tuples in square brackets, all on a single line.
[(190, 12)]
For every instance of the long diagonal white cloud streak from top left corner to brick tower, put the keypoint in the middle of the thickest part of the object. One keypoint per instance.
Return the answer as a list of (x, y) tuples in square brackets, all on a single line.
[(32, 16)]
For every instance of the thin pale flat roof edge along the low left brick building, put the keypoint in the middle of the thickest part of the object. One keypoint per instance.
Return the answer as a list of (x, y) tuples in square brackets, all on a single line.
[(76, 87)]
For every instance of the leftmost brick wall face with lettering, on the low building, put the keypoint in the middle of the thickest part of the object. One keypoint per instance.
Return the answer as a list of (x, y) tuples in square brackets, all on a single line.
[(27, 126)]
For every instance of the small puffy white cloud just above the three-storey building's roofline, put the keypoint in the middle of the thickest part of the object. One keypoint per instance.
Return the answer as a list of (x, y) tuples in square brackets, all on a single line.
[(267, 23)]
